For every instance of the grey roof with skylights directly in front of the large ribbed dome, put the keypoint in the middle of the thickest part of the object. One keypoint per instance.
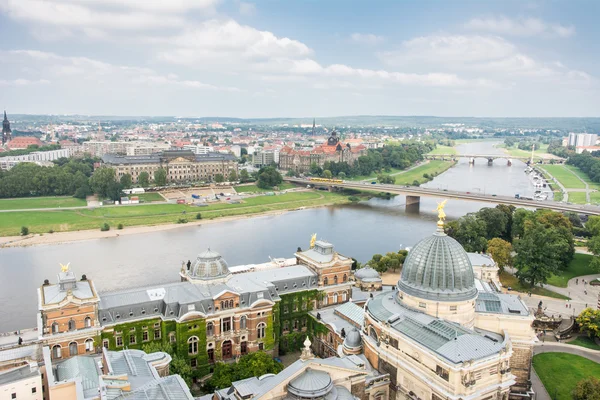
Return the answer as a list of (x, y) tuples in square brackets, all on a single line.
[(448, 340)]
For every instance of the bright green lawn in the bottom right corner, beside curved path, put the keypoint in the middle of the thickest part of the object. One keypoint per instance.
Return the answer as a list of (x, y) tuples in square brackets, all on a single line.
[(569, 367)]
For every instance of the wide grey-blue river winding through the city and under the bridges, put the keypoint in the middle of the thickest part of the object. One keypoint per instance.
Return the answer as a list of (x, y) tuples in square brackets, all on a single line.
[(358, 230)]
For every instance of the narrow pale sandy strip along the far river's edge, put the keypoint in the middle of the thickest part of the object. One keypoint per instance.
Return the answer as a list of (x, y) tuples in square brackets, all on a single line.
[(75, 236)]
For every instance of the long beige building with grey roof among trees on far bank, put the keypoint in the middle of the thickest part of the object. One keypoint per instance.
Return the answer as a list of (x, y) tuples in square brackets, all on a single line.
[(180, 165)]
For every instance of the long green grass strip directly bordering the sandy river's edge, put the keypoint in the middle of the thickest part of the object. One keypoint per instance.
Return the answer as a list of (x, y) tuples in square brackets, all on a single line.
[(71, 220)]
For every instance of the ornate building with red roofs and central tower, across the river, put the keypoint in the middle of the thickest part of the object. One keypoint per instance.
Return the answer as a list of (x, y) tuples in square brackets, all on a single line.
[(334, 150)]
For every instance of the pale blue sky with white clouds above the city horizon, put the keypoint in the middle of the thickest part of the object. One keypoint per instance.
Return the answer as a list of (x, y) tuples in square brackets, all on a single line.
[(300, 58)]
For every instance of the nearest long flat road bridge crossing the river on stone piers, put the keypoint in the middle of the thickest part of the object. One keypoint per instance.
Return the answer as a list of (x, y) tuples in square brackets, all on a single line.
[(413, 195)]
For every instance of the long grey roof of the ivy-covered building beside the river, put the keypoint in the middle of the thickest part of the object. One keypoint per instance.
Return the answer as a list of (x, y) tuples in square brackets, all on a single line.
[(173, 300)]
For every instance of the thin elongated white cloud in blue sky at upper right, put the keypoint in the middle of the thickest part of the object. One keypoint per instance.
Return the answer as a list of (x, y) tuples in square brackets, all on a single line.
[(519, 27)]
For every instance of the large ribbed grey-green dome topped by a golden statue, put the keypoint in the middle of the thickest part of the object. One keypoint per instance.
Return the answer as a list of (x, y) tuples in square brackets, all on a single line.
[(438, 268)]
